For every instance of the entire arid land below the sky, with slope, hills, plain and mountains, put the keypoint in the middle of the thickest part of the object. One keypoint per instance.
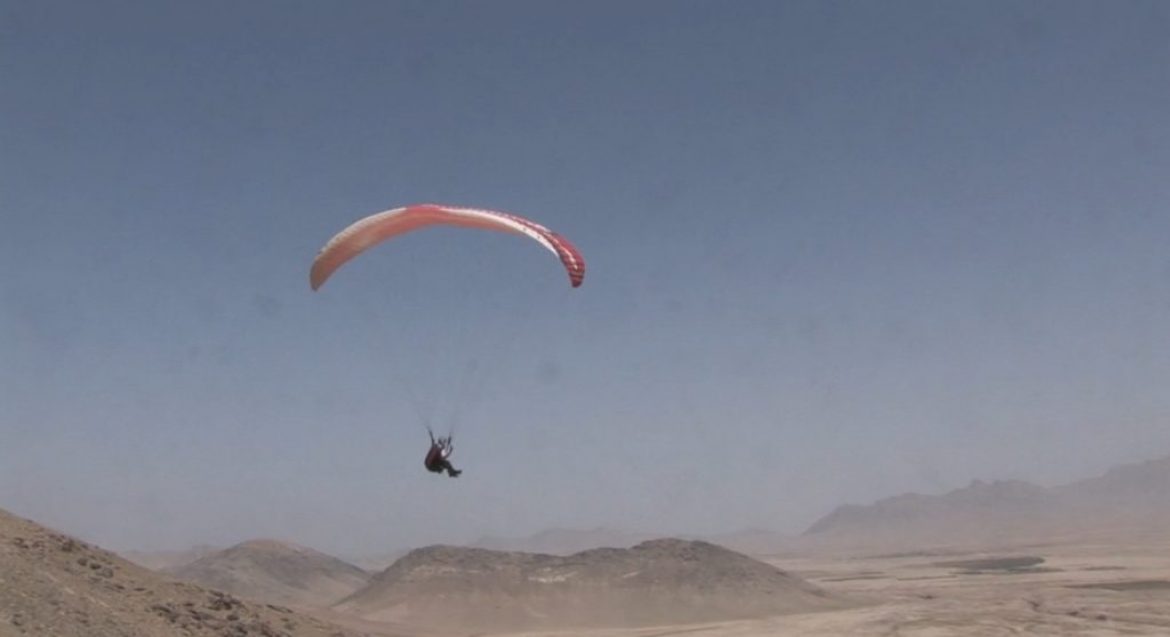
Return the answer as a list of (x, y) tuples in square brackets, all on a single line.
[(1091, 558)]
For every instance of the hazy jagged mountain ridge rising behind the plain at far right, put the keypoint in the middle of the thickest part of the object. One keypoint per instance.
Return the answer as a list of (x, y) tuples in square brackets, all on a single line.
[(1130, 499)]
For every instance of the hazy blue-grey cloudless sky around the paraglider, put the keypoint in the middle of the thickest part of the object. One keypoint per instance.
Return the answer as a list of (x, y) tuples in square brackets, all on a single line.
[(836, 252)]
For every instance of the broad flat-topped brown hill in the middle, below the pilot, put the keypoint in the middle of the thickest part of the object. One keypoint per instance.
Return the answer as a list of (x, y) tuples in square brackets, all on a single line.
[(659, 581)]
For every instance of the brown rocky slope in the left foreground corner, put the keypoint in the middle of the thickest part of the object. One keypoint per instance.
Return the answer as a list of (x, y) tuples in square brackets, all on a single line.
[(52, 584)]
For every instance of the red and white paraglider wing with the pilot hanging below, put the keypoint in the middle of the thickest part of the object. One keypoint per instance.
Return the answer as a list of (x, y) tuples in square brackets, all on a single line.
[(376, 229)]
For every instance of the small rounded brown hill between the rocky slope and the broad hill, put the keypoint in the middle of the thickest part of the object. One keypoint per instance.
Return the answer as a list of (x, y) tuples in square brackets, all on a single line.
[(276, 572)]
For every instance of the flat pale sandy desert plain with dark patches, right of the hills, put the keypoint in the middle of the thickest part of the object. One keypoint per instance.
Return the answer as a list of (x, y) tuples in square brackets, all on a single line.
[(1091, 591)]
